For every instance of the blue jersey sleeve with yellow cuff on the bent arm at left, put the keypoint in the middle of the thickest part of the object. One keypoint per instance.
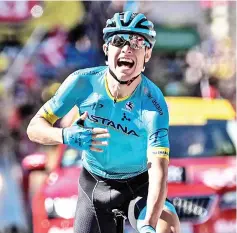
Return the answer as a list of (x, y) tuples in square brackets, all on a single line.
[(64, 99)]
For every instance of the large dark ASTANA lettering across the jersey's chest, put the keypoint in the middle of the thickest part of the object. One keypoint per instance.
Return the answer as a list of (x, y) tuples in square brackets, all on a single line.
[(112, 124)]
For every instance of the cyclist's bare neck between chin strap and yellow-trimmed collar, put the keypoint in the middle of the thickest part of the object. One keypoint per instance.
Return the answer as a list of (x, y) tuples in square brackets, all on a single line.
[(120, 91)]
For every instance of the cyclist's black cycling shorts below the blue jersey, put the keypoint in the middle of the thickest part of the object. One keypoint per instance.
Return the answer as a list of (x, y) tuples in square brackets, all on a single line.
[(99, 196)]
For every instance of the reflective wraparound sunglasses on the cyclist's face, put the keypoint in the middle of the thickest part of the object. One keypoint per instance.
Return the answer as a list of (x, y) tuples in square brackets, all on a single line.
[(134, 41)]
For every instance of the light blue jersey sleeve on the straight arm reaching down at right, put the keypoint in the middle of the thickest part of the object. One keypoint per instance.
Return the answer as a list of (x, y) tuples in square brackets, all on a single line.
[(157, 117)]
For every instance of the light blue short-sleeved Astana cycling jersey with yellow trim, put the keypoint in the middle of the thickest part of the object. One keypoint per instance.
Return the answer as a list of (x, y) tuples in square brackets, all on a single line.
[(138, 124)]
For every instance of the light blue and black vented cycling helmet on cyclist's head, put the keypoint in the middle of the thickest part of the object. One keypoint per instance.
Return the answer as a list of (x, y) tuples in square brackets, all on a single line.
[(131, 23)]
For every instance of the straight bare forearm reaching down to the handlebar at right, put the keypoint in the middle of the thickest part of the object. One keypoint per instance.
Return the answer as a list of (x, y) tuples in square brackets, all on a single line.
[(156, 197)]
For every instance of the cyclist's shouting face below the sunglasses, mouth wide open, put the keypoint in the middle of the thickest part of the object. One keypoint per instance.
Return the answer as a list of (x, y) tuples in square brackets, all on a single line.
[(125, 61)]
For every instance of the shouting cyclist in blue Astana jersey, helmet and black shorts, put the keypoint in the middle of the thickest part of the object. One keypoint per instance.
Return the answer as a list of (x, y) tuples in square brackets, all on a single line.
[(122, 131)]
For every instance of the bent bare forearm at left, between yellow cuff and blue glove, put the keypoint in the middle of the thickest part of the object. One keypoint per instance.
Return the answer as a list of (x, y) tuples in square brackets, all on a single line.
[(40, 131)]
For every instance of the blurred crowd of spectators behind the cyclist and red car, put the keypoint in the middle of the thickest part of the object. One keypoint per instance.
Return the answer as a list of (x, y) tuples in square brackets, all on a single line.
[(32, 70)]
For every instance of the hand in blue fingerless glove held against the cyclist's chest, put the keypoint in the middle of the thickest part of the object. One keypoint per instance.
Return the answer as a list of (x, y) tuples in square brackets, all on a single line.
[(85, 138)]
